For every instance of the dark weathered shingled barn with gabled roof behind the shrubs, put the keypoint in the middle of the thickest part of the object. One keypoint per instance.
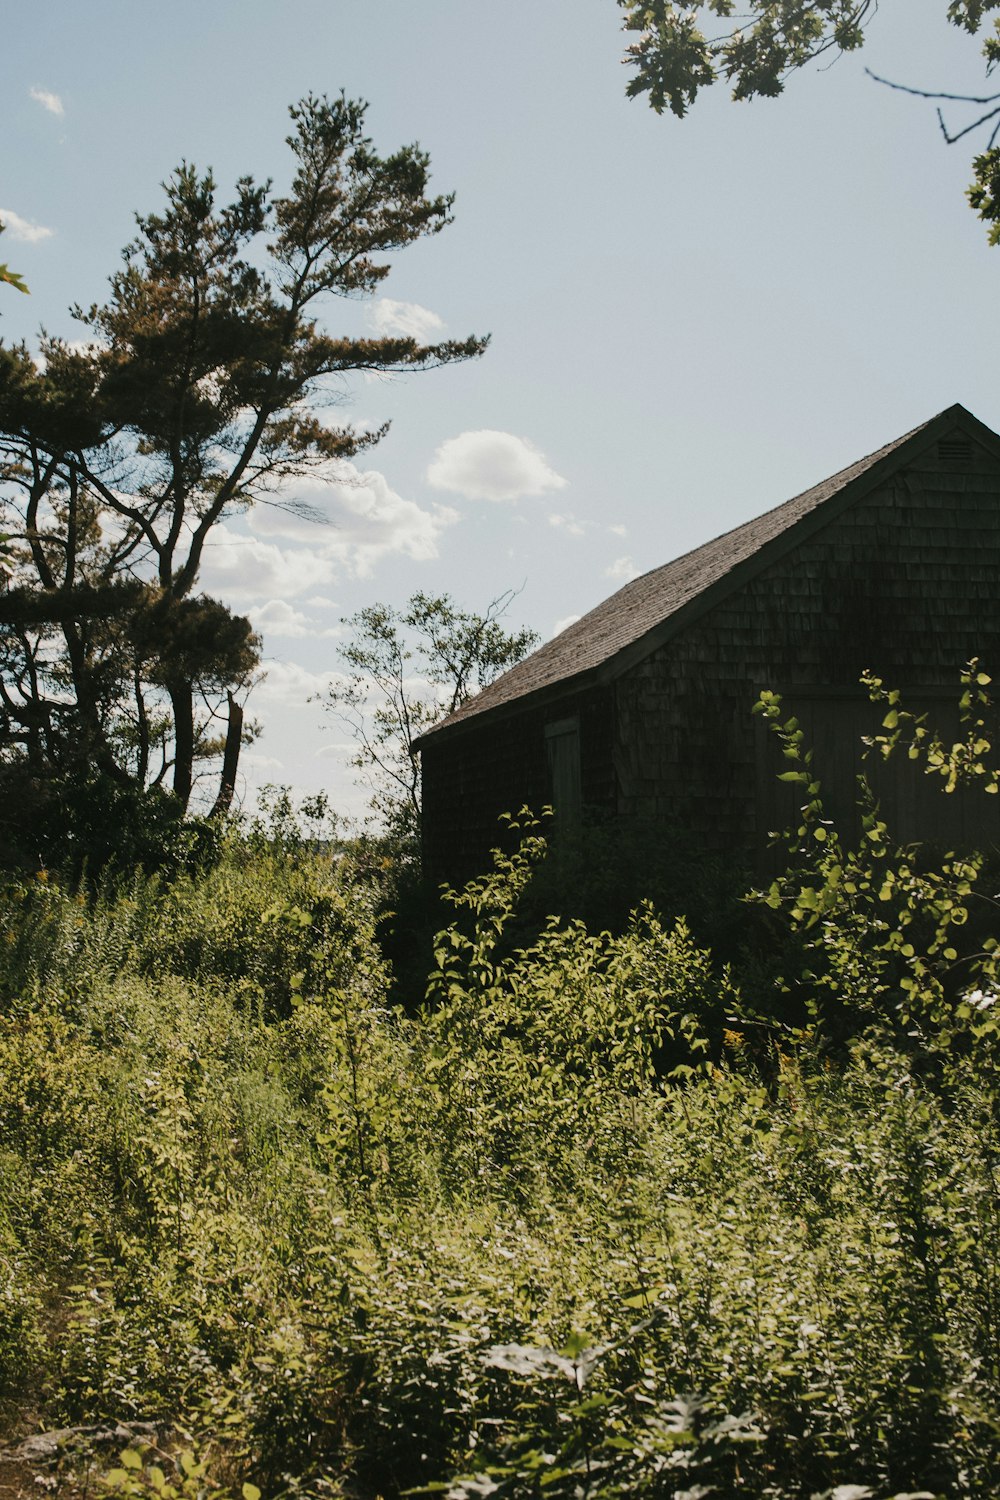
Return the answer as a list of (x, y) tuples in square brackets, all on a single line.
[(642, 710)]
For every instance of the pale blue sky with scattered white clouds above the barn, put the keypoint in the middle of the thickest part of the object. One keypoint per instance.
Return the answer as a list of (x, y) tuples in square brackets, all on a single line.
[(692, 320)]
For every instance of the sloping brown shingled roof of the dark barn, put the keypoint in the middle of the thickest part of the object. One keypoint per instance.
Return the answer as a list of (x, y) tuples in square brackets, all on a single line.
[(650, 610)]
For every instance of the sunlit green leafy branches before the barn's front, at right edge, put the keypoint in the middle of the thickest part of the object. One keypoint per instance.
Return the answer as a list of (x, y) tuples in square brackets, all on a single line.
[(885, 923)]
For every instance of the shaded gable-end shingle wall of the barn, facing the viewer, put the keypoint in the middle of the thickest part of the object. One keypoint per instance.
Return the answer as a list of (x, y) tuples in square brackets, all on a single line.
[(906, 583)]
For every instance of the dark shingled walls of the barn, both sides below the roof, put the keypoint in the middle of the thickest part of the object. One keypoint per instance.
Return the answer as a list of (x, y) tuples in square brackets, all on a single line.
[(905, 581)]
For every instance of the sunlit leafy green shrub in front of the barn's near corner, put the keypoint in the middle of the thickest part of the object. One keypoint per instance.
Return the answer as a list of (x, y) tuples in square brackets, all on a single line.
[(530, 1057)]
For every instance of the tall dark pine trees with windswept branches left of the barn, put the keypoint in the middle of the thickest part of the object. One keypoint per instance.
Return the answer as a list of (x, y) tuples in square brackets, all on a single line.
[(205, 386)]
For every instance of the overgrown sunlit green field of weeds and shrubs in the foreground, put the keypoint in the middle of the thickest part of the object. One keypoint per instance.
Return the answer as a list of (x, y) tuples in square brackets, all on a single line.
[(567, 1229)]
